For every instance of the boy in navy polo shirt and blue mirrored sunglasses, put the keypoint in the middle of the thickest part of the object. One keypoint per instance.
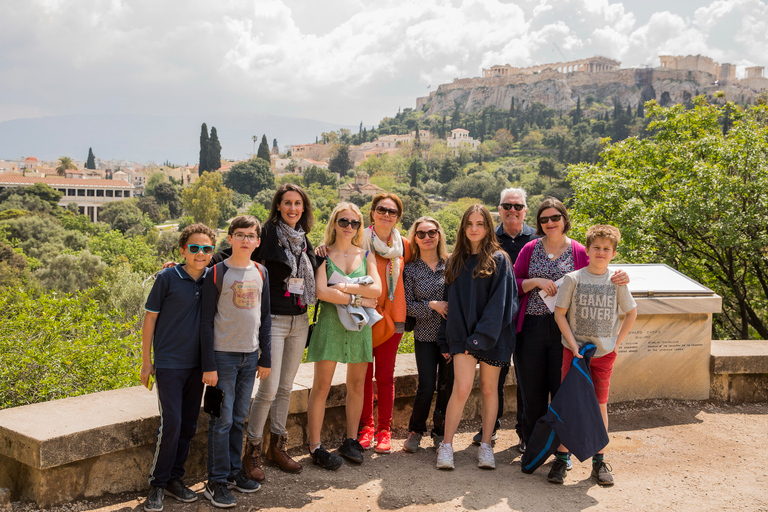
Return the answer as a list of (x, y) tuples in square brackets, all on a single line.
[(172, 328)]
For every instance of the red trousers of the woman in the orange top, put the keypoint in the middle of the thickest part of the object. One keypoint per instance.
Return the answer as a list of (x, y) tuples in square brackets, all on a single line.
[(383, 368)]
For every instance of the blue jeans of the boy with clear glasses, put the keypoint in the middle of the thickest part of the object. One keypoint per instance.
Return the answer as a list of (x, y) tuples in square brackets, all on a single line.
[(237, 374)]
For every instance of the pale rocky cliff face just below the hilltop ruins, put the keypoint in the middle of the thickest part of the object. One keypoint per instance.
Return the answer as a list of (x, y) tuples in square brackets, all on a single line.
[(561, 91)]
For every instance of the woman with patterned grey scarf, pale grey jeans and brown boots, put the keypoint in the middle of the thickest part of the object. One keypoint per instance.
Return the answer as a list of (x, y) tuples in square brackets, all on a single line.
[(291, 262)]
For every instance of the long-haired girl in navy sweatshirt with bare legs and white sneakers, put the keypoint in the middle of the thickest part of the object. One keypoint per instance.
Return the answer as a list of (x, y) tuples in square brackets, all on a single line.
[(482, 297)]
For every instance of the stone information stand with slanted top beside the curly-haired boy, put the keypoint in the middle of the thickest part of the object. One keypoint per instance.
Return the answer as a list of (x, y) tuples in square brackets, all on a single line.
[(667, 352)]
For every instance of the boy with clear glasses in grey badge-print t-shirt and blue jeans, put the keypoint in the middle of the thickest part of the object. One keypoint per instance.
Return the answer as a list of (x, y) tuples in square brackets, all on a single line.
[(236, 349)]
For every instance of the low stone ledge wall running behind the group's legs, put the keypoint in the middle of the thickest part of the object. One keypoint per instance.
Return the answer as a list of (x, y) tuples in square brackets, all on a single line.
[(87, 446)]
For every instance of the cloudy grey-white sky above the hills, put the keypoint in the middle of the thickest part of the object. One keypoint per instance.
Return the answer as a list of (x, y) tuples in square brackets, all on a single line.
[(341, 61)]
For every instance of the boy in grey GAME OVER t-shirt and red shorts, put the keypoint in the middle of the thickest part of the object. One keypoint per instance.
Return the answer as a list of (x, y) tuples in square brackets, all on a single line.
[(587, 311)]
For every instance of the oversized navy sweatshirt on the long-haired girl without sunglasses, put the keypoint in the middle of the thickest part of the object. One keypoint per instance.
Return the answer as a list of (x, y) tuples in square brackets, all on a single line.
[(481, 312)]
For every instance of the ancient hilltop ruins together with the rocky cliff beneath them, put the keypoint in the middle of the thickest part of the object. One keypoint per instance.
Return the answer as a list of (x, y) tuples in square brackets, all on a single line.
[(559, 85)]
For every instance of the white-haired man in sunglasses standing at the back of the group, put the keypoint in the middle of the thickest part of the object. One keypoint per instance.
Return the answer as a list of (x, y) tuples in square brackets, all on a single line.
[(513, 233)]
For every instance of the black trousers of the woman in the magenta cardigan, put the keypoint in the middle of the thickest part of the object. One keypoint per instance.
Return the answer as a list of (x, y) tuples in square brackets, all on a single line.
[(538, 359)]
